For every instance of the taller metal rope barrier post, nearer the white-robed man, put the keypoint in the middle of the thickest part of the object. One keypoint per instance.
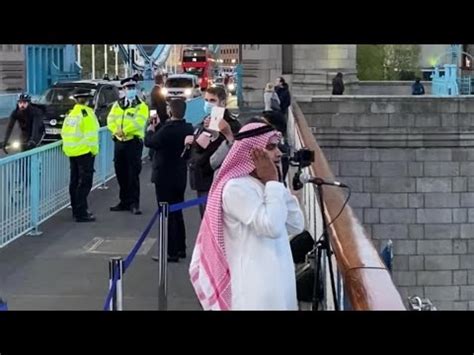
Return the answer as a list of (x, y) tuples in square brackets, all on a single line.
[(163, 256)]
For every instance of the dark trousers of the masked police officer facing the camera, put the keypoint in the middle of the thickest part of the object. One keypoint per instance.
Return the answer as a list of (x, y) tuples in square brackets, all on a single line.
[(128, 165)]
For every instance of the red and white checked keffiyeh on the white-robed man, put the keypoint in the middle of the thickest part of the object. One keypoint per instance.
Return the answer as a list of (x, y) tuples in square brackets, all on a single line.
[(209, 269)]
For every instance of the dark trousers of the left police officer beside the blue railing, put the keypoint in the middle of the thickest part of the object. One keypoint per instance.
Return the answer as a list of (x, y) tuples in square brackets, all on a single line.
[(80, 184)]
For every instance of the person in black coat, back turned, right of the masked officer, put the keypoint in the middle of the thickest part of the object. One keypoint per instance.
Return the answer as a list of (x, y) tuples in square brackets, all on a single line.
[(170, 171)]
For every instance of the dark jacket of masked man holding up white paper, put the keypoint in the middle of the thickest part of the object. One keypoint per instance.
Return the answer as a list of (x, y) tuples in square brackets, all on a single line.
[(201, 173)]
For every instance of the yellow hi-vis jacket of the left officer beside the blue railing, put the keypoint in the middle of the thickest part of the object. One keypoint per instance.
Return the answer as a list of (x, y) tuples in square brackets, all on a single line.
[(80, 132)]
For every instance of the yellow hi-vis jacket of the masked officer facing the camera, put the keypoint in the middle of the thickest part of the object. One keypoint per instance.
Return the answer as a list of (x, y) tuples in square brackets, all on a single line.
[(131, 121)]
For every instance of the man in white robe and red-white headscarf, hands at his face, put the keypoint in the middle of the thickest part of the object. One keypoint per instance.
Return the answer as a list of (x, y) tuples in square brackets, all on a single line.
[(242, 258)]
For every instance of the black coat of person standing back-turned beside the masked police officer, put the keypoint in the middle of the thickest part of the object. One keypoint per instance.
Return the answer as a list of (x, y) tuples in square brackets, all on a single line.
[(169, 169)]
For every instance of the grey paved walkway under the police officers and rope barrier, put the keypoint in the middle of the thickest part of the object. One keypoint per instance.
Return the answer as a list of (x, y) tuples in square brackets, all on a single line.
[(66, 268)]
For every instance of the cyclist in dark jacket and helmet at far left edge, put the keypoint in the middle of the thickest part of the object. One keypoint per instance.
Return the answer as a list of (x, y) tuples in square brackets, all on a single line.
[(30, 119)]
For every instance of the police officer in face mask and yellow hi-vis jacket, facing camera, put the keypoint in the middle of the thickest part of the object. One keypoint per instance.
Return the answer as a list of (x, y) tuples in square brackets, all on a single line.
[(126, 121)]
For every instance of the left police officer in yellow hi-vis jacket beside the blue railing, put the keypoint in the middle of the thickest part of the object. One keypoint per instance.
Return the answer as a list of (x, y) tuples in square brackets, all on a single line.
[(80, 134)]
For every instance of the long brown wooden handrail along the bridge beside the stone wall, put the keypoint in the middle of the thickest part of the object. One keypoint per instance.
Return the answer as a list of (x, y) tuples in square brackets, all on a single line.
[(367, 281)]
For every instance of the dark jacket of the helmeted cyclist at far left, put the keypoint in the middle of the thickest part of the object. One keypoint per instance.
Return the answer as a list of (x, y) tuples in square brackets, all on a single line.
[(31, 124)]
